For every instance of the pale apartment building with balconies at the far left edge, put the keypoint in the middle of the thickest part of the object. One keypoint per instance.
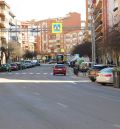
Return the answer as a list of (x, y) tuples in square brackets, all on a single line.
[(6, 21)]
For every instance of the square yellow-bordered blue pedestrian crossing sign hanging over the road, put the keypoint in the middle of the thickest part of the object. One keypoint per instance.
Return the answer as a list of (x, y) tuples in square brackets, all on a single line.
[(57, 27)]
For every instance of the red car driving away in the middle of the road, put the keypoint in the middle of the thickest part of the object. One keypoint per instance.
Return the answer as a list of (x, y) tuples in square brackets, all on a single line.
[(59, 69)]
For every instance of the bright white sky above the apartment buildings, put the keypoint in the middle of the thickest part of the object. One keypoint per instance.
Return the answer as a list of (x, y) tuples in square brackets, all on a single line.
[(44, 9)]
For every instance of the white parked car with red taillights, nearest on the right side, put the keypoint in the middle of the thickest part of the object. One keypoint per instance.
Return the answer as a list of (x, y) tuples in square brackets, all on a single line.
[(105, 76)]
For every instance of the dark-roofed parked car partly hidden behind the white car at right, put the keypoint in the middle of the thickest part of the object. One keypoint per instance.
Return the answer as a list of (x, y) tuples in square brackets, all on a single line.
[(93, 71)]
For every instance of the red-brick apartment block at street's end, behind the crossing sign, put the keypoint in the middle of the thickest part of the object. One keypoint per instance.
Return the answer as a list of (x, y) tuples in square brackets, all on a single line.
[(50, 44)]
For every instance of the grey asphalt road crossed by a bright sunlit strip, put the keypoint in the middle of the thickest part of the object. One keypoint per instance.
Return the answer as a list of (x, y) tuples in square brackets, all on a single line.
[(35, 99)]
